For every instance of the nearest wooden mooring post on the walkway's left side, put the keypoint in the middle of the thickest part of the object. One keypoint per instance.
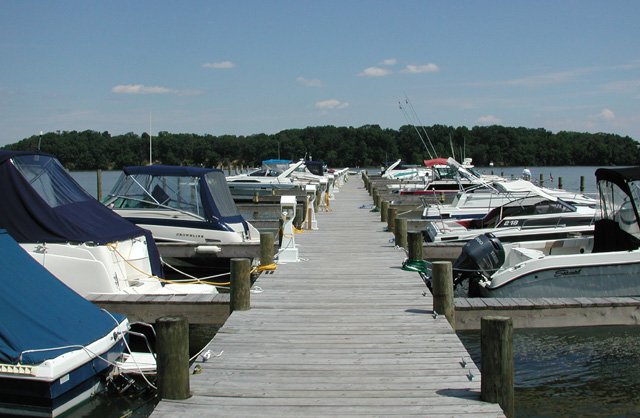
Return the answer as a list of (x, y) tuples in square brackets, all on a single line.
[(172, 351)]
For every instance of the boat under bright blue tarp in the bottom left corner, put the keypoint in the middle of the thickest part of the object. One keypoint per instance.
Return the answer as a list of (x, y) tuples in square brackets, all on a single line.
[(56, 348)]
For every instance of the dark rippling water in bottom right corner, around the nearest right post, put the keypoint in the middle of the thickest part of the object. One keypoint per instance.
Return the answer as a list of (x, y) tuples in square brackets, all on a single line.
[(587, 372)]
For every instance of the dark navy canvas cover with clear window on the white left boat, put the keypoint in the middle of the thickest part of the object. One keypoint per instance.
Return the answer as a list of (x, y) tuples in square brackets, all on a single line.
[(43, 203)]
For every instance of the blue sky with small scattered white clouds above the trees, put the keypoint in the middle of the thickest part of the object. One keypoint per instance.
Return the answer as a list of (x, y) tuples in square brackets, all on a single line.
[(245, 67)]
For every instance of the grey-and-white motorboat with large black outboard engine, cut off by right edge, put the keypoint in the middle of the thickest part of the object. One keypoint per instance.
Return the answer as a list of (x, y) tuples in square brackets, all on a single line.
[(606, 264)]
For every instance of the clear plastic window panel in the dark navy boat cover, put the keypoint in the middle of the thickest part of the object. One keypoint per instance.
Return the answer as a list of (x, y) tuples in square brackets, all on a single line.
[(50, 180)]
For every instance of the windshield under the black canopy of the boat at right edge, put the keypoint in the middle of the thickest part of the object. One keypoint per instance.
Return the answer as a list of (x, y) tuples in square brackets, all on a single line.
[(620, 207)]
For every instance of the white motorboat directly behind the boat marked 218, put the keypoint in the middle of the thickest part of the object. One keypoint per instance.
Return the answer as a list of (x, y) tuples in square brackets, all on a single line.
[(478, 201)]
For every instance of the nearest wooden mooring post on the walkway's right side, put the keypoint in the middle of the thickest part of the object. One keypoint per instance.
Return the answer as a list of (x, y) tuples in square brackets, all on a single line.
[(496, 345)]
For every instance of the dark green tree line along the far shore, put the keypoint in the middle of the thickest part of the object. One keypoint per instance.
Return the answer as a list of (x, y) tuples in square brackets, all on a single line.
[(365, 146)]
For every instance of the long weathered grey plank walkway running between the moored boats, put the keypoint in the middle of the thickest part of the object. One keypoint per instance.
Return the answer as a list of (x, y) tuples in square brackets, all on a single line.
[(344, 332)]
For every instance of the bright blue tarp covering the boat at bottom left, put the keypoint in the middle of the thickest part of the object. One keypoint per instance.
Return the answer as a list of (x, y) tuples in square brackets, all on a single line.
[(38, 311)]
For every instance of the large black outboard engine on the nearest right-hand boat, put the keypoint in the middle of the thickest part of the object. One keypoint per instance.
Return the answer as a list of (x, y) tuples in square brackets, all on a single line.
[(482, 255)]
